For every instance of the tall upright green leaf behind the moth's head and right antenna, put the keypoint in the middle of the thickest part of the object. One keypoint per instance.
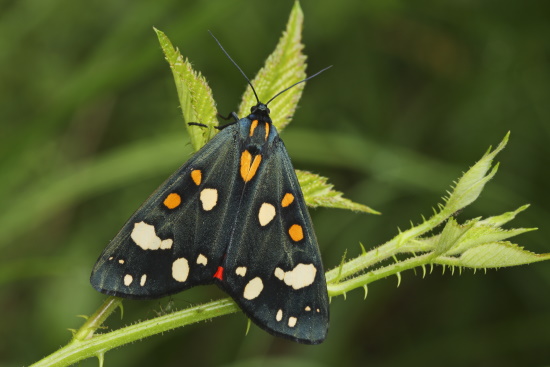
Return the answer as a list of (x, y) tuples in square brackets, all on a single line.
[(284, 67)]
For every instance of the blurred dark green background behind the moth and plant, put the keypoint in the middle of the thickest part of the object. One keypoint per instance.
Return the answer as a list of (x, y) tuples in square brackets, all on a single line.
[(90, 126)]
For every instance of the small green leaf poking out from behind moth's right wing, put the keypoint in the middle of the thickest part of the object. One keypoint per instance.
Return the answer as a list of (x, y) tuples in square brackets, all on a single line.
[(318, 192)]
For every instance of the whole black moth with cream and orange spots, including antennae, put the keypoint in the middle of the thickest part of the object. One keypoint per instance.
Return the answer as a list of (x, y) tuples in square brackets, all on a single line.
[(233, 215)]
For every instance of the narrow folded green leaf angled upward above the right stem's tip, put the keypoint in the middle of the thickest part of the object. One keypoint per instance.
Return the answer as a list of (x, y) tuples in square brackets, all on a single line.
[(472, 182)]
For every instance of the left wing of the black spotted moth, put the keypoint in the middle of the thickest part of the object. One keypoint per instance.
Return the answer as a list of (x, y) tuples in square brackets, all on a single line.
[(176, 239)]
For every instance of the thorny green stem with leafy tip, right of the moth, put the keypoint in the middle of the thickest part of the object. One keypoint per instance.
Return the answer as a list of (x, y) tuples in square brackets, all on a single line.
[(475, 244)]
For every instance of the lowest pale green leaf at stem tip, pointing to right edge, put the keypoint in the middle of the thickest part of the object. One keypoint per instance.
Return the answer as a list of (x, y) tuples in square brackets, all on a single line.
[(498, 254)]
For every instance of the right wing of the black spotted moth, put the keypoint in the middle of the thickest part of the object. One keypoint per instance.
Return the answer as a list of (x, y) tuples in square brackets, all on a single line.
[(273, 266)]
